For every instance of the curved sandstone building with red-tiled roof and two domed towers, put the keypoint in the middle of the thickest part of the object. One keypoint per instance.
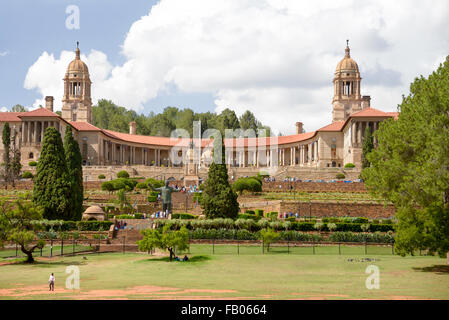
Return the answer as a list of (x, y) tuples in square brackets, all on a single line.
[(107, 151)]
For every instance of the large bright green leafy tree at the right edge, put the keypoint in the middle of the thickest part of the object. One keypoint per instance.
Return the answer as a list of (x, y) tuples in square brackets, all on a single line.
[(410, 165)]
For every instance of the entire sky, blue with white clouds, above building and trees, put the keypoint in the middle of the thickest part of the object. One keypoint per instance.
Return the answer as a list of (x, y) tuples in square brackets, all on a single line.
[(275, 58)]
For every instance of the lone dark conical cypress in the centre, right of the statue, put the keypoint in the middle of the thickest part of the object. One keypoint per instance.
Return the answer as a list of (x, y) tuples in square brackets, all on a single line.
[(219, 200)]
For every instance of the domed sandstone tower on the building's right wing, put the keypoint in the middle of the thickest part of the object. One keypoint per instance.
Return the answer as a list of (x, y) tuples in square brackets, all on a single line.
[(347, 98)]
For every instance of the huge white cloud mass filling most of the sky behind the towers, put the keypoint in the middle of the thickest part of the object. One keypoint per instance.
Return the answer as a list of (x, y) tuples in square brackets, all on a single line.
[(273, 57)]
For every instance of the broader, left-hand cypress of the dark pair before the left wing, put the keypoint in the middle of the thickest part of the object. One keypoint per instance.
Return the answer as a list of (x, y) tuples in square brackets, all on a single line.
[(51, 183)]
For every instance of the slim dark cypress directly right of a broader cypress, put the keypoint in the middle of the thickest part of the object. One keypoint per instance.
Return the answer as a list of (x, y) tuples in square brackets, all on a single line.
[(75, 170)]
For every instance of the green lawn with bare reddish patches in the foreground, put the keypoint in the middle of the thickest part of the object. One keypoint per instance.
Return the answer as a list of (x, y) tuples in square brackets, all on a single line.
[(226, 275)]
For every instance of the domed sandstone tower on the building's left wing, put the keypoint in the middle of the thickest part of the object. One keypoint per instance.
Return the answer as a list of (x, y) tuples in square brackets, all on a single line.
[(76, 102)]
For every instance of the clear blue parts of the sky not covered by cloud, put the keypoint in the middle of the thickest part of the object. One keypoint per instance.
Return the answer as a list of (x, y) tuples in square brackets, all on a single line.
[(31, 27)]
